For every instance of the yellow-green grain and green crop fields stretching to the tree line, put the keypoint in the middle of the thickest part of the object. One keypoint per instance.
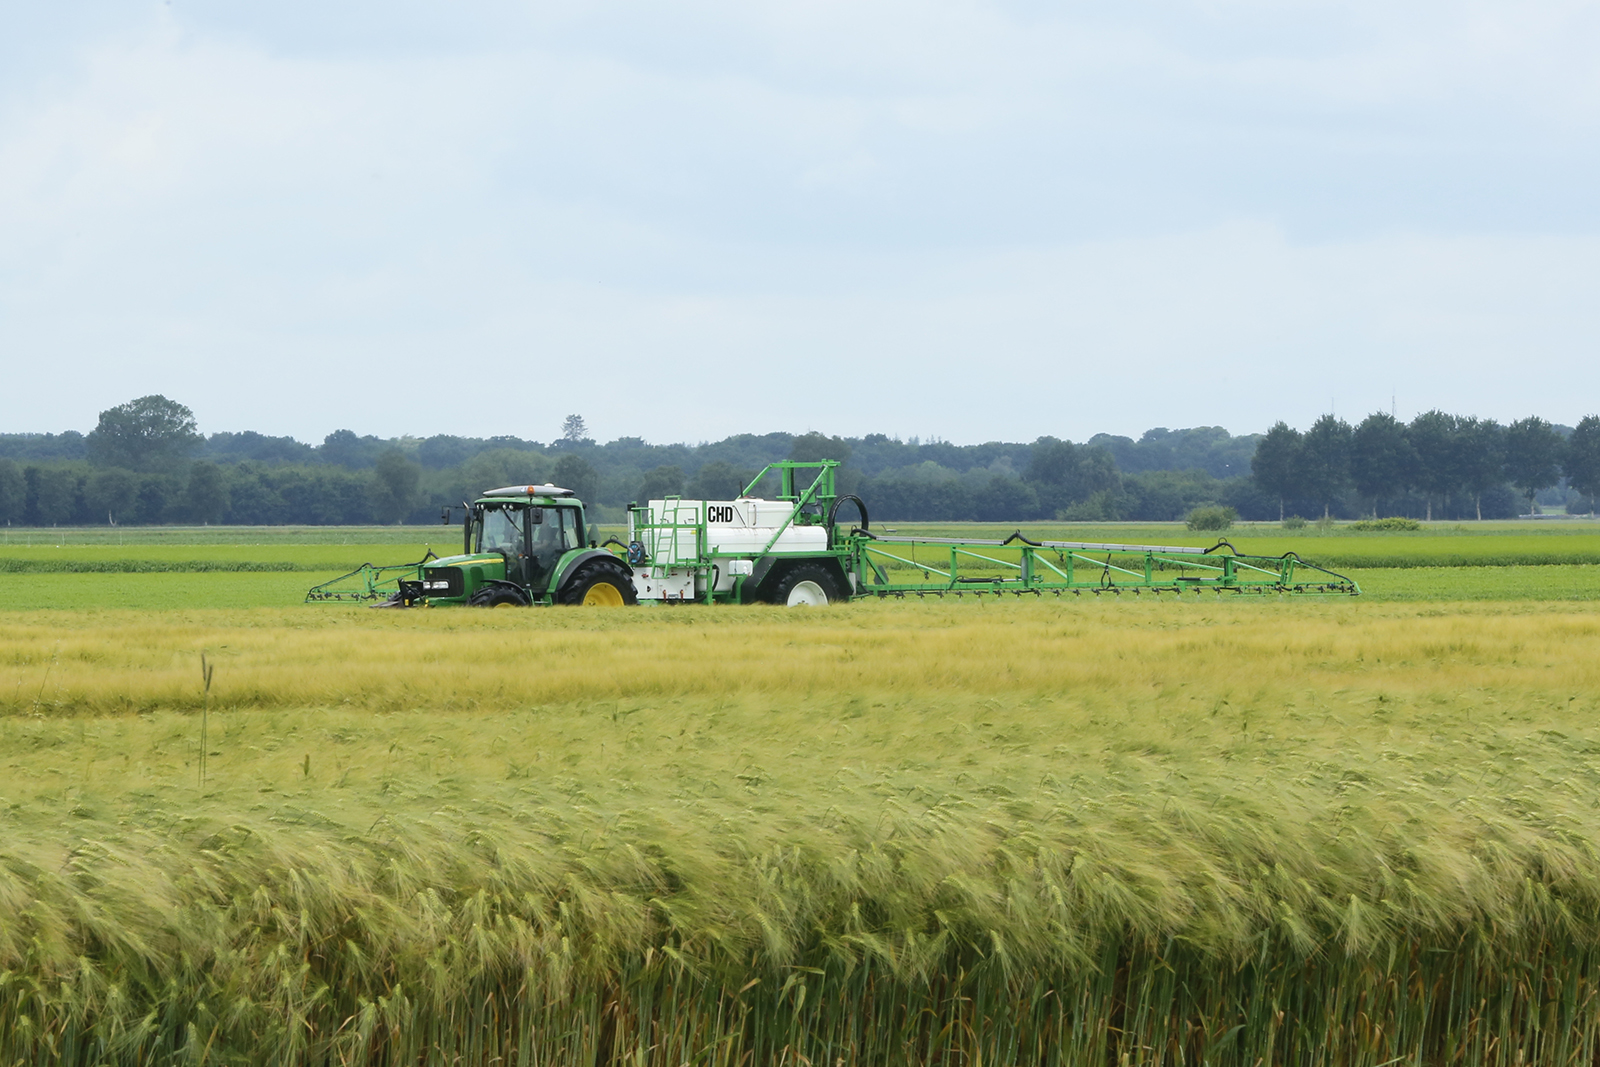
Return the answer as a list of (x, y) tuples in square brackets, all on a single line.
[(1079, 831)]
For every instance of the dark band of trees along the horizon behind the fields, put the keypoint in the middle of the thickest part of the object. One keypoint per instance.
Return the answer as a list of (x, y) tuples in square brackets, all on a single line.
[(146, 463)]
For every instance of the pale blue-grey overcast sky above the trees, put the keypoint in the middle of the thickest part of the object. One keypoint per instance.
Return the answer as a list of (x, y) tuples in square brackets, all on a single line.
[(689, 220)]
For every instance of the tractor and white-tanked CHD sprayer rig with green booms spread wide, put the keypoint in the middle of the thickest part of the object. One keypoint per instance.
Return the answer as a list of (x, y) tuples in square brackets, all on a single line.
[(532, 545)]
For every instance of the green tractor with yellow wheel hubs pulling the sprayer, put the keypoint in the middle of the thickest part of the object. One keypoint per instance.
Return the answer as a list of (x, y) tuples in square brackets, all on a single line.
[(522, 545)]
